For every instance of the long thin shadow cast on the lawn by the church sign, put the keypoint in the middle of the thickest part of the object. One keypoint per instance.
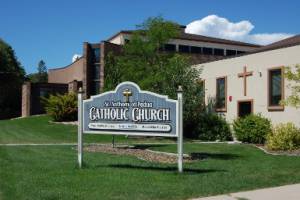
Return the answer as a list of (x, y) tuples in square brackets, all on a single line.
[(164, 169)]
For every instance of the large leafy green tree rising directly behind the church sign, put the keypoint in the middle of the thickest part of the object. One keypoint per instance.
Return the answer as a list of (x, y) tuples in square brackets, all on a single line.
[(143, 62)]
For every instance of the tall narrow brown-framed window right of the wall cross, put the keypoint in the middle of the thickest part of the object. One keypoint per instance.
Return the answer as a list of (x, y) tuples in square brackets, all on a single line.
[(276, 89)]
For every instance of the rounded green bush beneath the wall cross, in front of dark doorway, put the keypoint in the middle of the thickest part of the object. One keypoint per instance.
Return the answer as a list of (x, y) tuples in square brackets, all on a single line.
[(252, 129)]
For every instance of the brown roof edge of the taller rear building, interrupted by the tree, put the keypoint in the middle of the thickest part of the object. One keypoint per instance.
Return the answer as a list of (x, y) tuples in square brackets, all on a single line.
[(194, 37)]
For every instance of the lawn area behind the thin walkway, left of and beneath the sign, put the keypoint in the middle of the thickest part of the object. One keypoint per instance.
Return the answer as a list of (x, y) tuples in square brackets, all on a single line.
[(38, 129)]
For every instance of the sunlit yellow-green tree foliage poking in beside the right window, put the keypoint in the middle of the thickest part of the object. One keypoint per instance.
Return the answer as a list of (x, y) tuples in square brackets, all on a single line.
[(294, 77)]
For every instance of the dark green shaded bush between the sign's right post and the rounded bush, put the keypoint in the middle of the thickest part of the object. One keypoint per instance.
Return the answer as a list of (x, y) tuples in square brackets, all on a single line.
[(212, 127)]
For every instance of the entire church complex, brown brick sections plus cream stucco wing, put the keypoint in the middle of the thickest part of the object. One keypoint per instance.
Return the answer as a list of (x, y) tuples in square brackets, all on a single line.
[(239, 78)]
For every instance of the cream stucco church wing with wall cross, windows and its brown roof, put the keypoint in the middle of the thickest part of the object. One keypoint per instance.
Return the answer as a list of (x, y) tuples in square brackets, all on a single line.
[(253, 82)]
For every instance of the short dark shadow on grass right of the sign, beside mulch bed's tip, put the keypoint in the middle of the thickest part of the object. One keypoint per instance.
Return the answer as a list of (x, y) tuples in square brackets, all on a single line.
[(220, 156)]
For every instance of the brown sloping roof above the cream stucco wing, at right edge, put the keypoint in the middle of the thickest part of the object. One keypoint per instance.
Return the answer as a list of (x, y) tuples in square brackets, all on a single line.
[(288, 42)]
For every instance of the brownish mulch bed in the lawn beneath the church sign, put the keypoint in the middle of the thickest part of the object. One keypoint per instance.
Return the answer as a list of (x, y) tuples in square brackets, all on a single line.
[(143, 154)]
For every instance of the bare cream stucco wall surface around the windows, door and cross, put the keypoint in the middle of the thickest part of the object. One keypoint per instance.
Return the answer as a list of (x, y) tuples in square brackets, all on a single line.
[(257, 84)]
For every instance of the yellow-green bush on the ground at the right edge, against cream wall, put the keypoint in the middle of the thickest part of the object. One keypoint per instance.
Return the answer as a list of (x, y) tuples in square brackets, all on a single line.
[(284, 137)]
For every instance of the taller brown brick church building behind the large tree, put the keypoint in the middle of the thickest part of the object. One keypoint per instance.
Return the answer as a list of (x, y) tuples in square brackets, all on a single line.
[(89, 70)]
